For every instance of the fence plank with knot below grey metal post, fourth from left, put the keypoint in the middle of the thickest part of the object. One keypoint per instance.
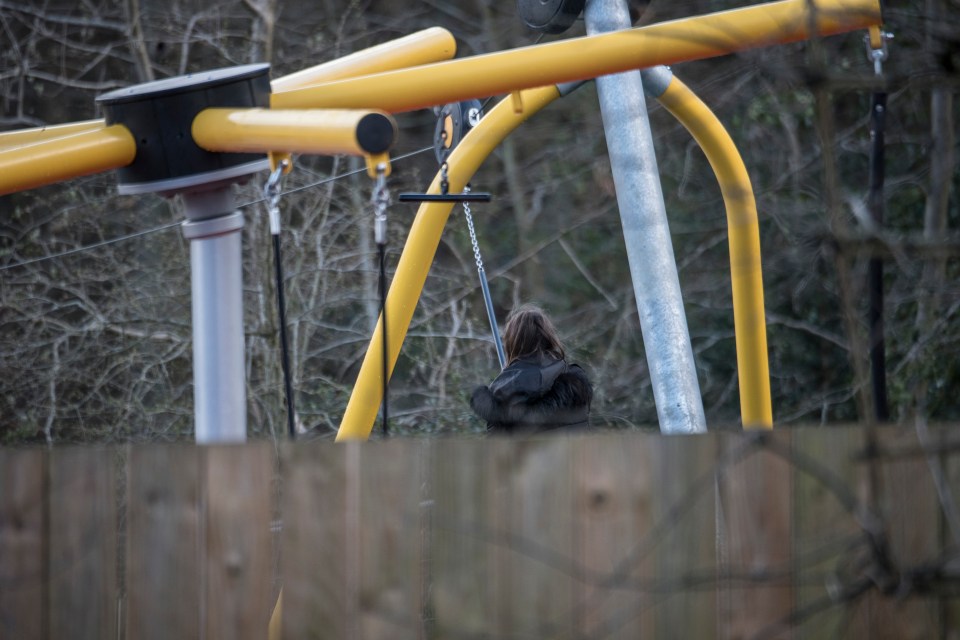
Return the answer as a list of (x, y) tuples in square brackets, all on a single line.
[(237, 552)]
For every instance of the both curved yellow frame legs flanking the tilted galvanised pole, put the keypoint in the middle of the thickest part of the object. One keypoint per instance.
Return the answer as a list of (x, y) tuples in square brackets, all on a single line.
[(744, 239)]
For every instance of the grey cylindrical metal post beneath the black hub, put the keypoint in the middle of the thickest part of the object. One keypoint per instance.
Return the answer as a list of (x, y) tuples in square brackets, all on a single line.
[(219, 389)]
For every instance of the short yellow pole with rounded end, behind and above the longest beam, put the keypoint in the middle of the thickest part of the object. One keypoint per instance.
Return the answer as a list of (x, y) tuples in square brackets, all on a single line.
[(423, 47)]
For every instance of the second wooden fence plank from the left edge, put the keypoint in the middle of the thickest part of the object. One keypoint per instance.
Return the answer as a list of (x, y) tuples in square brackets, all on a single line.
[(83, 543)]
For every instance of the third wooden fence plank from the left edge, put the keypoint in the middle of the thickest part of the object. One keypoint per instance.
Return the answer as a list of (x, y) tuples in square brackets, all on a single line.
[(163, 576)]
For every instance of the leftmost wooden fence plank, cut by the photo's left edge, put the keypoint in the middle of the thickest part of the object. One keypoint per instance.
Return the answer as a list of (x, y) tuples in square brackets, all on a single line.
[(23, 593)]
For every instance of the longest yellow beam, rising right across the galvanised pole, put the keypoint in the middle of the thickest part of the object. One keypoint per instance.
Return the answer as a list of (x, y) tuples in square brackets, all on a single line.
[(588, 57)]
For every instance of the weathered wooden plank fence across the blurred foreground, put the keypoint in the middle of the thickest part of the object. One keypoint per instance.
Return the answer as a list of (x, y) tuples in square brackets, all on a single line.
[(802, 533)]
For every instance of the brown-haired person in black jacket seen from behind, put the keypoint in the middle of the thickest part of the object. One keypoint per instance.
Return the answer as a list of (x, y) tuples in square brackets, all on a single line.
[(537, 391)]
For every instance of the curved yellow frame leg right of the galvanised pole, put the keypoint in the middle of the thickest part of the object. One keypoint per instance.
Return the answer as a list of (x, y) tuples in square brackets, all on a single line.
[(744, 237)]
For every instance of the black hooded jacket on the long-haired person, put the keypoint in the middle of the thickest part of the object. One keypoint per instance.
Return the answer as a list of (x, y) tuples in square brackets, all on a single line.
[(535, 394)]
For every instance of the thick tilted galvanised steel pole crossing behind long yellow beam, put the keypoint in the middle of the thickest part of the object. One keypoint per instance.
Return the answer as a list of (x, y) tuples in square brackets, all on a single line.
[(653, 268)]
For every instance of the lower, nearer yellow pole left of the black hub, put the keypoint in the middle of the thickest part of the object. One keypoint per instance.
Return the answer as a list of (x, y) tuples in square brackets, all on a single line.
[(64, 158)]
